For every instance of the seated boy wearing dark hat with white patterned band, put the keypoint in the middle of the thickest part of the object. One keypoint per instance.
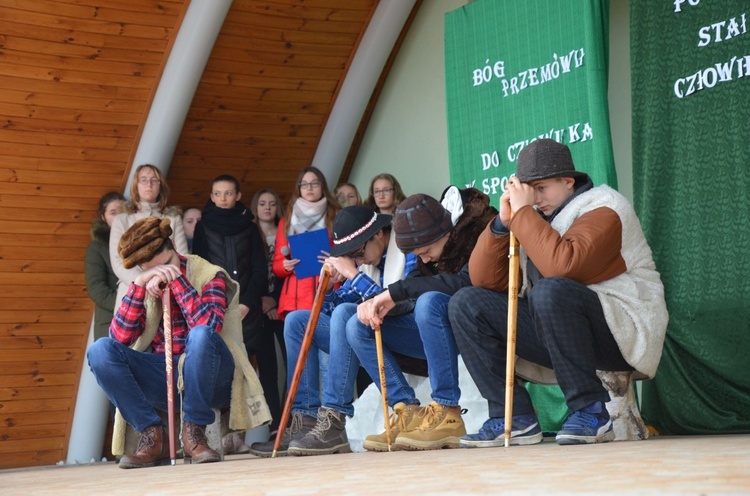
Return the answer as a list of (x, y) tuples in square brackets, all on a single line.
[(365, 258)]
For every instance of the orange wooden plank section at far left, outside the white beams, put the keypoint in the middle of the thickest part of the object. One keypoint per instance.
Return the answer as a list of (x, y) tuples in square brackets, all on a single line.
[(76, 77)]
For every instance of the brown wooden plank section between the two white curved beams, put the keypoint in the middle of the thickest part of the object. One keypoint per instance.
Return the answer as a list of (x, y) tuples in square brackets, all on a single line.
[(266, 94)]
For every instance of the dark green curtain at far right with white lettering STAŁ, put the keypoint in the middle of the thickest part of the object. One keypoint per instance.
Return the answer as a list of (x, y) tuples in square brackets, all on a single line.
[(691, 176)]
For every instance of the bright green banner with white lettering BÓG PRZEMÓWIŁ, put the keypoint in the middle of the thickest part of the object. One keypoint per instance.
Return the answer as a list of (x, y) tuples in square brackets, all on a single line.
[(518, 70)]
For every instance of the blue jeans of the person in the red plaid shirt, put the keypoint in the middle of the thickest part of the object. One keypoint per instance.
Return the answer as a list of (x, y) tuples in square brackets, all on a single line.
[(135, 382)]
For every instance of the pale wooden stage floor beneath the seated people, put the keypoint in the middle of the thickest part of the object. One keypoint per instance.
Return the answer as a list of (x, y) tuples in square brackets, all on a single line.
[(696, 465)]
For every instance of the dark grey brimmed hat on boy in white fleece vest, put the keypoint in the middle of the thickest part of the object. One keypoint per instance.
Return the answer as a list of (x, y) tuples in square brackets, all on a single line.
[(545, 159)]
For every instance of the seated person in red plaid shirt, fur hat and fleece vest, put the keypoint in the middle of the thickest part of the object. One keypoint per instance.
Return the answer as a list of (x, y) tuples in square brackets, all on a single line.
[(207, 349)]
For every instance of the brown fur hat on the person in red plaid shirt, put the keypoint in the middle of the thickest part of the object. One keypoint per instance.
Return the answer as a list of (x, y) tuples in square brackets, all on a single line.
[(142, 240)]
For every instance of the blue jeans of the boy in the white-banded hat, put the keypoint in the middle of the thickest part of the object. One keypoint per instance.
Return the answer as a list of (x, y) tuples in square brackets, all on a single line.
[(330, 337)]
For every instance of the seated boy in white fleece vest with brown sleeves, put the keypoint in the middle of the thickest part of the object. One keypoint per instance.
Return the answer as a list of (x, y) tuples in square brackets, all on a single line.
[(591, 298)]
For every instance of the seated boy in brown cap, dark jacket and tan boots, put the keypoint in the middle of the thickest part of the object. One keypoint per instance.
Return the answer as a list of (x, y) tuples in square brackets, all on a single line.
[(413, 316)]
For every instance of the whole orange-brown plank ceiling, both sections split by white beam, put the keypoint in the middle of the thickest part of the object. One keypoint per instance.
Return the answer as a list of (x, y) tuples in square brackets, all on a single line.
[(76, 80)]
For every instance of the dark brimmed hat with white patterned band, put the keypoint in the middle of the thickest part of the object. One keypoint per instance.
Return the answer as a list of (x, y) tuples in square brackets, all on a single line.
[(354, 226)]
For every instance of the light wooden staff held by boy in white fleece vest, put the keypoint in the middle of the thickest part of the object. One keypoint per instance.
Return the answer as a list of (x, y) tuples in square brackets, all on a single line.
[(510, 357)]
